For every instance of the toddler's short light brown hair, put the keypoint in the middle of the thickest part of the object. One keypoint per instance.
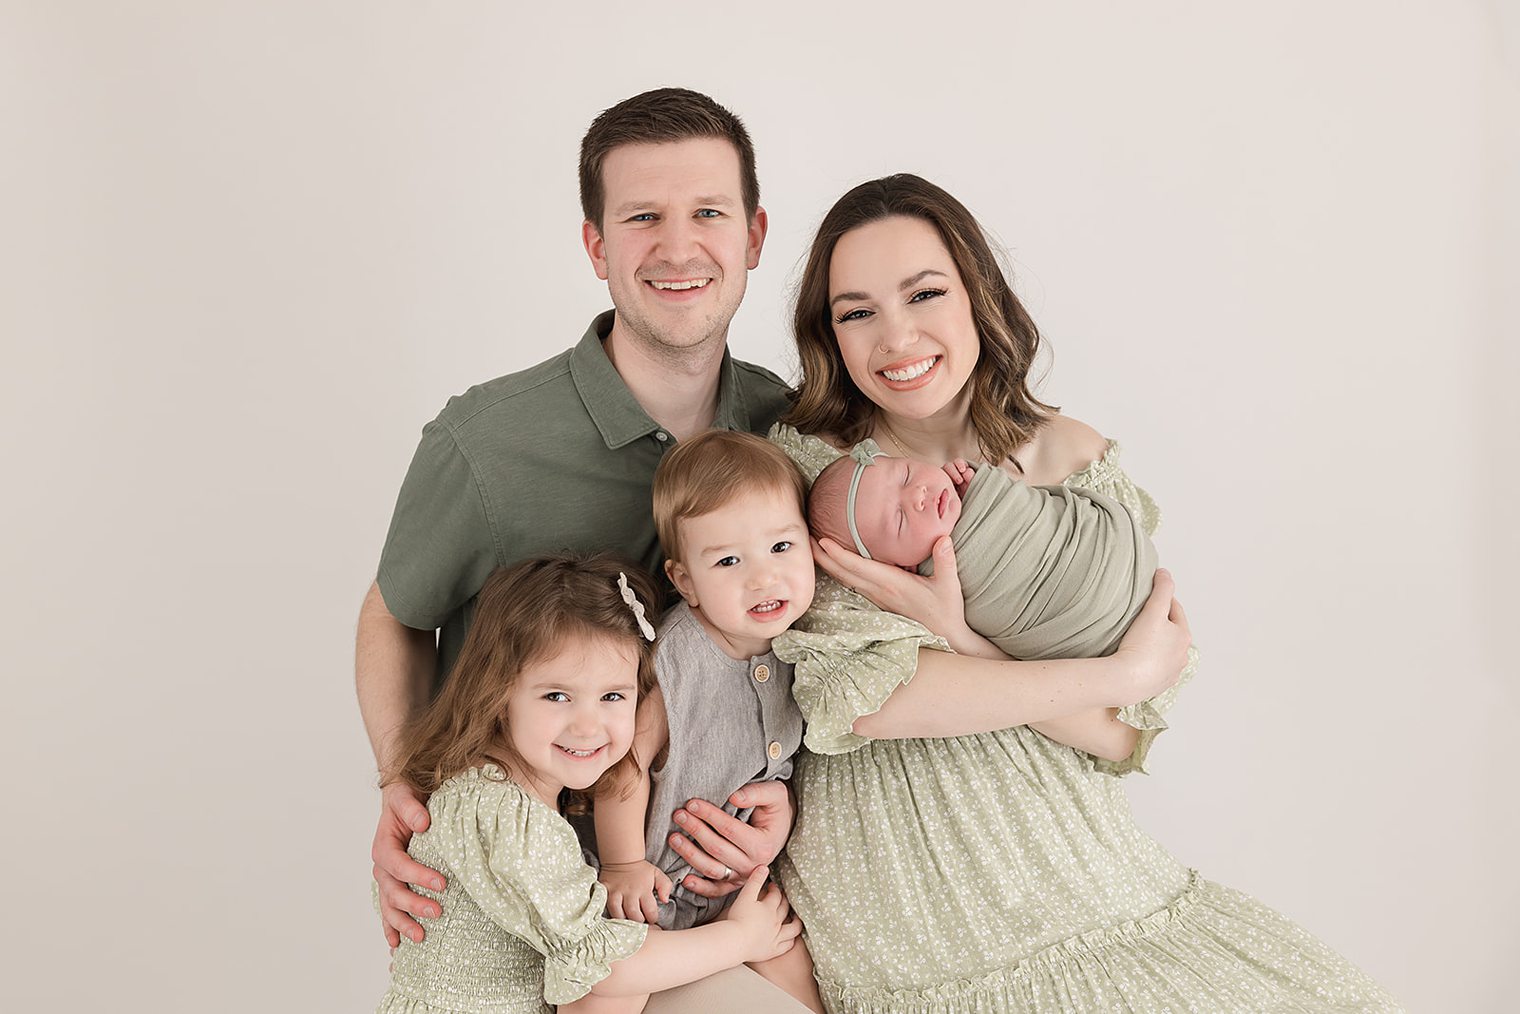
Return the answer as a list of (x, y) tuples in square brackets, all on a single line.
[(711, 471)]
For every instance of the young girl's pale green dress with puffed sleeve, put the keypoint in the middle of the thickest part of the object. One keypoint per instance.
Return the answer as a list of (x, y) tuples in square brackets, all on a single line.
[(524, 924)]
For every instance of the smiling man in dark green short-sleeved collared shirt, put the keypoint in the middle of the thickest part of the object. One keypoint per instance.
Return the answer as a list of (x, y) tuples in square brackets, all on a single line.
[(563, 455)]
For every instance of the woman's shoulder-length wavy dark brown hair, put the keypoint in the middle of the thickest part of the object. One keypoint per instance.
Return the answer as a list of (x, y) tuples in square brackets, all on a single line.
[(1004, 411)]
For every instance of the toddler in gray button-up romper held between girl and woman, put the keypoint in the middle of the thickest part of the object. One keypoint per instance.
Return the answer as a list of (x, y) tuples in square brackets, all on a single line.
[(729, 510)]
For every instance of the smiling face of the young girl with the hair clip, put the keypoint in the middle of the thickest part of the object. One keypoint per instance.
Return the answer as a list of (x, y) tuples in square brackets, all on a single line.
[(572, 717)]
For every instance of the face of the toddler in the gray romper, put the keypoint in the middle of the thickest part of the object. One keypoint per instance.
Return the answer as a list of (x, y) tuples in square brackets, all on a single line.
[(747, 568)]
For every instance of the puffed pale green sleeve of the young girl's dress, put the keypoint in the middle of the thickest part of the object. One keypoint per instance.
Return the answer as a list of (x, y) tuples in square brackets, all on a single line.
[(522, 864)]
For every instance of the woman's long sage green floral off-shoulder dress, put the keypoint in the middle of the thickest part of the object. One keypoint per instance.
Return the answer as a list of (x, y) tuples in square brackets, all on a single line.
[(1004, 872)]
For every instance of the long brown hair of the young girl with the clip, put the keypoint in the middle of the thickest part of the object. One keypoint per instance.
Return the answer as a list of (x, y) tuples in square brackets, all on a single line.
[(524, 615)]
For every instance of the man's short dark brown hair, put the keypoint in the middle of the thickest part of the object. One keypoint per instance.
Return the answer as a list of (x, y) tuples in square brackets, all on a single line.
[(657, 118)]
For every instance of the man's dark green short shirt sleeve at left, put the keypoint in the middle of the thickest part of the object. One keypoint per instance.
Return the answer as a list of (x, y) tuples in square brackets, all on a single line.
[(442, 545)]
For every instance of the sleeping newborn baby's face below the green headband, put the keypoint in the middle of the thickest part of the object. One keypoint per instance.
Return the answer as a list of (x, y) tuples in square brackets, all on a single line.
[(904, 507)]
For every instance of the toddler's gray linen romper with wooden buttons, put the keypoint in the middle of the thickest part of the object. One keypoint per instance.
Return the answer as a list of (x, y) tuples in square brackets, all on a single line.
[(732, 723)]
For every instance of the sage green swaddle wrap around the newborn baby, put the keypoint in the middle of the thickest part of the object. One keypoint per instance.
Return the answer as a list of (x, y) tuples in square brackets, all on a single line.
[(1050, 572)]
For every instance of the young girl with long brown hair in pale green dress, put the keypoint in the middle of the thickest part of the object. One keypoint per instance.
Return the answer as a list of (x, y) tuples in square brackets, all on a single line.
[(543, 700)]
